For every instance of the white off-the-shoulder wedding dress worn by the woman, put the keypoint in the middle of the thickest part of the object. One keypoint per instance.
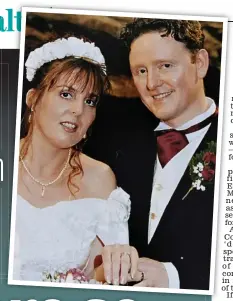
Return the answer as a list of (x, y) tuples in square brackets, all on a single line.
[(60, 236)]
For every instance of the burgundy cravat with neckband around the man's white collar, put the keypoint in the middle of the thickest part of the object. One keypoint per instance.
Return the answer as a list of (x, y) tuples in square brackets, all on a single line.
[(171, 142)]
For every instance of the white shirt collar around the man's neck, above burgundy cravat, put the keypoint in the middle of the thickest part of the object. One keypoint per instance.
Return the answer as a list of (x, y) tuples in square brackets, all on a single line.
[(195, 120)]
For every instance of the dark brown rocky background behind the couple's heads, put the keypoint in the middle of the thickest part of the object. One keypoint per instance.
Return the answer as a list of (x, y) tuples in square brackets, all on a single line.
[(104, 31)]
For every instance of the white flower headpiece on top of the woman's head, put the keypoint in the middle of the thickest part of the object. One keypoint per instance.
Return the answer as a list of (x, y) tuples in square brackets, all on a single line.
[(62, 48)]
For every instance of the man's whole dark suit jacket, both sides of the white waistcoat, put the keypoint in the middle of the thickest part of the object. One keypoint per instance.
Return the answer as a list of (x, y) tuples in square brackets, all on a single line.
[(184, 233)]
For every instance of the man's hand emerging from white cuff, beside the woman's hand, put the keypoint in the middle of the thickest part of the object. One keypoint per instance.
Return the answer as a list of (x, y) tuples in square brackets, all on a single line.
[(154, 273)]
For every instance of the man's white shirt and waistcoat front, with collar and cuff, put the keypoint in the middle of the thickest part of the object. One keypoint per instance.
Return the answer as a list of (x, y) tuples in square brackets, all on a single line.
[(166, 180)]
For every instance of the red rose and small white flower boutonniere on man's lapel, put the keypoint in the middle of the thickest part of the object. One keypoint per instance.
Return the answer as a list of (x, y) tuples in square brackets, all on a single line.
[(202, 168)]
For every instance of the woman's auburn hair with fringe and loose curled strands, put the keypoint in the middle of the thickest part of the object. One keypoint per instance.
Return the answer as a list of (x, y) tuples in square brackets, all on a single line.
[(74, 69)]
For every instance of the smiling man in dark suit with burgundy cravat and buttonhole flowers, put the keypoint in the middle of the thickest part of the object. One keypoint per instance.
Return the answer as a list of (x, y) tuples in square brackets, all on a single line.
[(169, 171)]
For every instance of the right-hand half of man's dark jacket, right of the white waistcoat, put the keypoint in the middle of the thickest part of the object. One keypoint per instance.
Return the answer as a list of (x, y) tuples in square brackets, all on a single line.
[(184, 233)]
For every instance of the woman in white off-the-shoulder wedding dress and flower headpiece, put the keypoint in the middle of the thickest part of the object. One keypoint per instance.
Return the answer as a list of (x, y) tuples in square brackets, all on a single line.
[(68, 205)]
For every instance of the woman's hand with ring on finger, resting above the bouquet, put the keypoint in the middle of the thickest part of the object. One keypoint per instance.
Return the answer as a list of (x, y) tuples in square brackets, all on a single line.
[(120, 264)]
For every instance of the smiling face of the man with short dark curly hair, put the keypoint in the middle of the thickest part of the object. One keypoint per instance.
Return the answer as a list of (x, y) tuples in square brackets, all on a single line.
[(167, 77)]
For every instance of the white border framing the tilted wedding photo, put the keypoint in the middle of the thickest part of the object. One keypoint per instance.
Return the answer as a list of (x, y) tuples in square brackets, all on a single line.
[(26, 10)]
